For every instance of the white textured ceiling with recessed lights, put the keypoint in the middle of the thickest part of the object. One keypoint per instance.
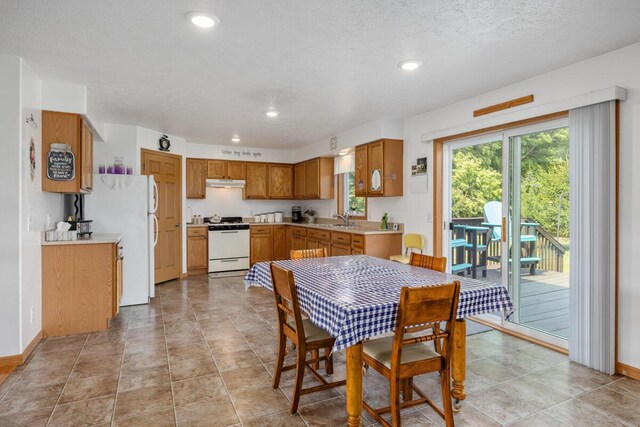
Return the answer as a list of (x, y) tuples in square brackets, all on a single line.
[(325, 65)]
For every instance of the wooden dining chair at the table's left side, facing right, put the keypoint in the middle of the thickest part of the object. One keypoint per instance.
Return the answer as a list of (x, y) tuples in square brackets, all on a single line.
[(306, 336)]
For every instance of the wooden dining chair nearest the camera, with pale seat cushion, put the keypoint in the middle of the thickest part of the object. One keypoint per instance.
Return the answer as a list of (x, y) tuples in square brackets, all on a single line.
[(401, 357)]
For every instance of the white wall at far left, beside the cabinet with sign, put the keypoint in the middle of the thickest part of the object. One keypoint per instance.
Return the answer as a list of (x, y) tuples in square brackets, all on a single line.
[(25, 207)]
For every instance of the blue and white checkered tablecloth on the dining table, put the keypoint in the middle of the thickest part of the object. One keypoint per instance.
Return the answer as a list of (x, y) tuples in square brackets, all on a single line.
[(356, 297)]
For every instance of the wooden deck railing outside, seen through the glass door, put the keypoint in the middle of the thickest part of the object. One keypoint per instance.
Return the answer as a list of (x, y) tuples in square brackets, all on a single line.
[(547, 247)]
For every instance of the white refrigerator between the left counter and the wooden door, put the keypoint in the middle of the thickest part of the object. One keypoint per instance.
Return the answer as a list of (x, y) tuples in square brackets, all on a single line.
[(126, 204)]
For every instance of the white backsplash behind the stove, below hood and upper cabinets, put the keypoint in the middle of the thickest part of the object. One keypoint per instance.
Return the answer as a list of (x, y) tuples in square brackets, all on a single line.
[(229, 202)]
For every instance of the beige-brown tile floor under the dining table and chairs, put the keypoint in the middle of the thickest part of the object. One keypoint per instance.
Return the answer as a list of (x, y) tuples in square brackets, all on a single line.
[(202, 354)]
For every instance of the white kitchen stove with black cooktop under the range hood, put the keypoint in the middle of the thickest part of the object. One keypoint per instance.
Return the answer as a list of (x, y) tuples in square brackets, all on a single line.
[(228, 245)]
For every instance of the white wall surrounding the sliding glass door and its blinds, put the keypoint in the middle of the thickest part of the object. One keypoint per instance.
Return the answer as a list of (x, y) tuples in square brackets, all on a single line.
[(617, 68)]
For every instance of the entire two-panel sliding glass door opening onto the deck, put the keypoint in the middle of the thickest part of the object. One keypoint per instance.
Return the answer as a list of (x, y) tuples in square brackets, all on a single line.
[(506, 198)]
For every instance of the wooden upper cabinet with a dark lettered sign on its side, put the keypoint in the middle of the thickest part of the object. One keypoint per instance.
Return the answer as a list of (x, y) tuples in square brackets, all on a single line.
[(67, 153)]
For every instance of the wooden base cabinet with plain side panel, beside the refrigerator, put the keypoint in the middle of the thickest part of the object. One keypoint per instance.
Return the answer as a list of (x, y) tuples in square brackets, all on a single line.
[(81, 287)]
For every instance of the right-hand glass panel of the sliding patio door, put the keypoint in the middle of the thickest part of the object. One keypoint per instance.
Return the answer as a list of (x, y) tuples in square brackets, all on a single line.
[(539, 222)]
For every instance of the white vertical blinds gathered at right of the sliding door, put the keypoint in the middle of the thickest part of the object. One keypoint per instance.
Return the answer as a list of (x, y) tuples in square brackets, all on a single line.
[(592, 230)]
